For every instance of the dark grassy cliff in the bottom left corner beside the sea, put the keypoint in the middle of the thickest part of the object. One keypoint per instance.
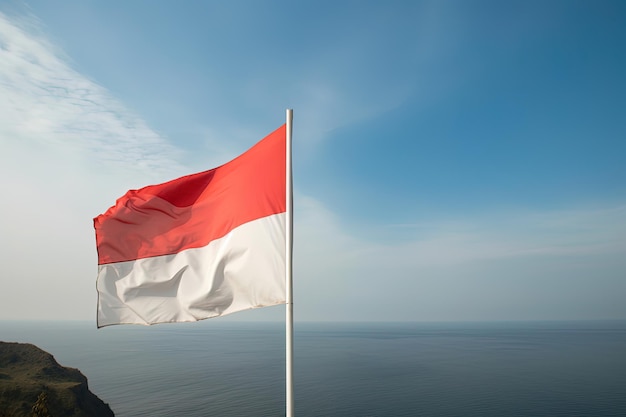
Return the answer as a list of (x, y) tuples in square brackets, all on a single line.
[(27, 371)]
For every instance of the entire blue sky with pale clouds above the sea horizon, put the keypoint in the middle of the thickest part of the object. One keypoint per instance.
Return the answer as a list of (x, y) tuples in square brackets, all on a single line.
[(453, 160)]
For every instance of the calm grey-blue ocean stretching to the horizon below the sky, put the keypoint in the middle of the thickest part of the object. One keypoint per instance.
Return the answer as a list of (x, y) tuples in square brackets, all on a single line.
[(226, 368)]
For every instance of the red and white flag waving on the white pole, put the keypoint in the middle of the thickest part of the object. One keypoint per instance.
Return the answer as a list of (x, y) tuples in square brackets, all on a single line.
[(200, 246)]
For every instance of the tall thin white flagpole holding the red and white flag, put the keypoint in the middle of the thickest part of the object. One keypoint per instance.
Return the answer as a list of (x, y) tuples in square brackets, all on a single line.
[(289, 275)]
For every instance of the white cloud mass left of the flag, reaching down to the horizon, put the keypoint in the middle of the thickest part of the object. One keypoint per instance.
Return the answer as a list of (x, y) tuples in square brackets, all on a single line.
[(67, 150)]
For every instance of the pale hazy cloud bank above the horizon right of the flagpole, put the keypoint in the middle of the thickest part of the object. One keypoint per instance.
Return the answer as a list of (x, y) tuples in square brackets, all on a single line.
[(510, 265)]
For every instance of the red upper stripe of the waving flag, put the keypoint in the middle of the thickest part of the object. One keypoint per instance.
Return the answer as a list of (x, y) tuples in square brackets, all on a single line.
[(191, 211)]
